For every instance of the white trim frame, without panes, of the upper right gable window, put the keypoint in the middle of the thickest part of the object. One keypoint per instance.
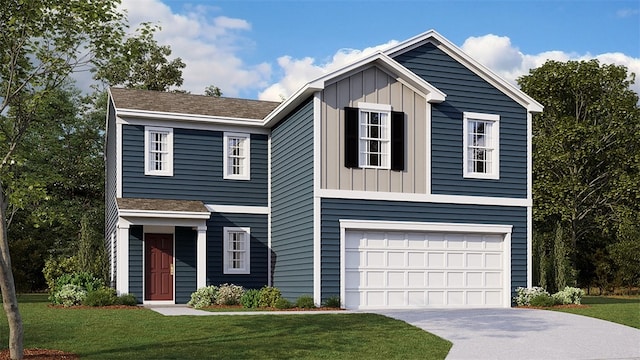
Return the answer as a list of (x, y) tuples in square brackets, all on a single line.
[(495, 135)]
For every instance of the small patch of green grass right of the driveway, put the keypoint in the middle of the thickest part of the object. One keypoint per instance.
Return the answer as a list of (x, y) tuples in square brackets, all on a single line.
[(621, 310)]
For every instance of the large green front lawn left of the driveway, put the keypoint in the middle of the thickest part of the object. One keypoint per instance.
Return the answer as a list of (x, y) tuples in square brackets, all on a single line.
[(144, 334)]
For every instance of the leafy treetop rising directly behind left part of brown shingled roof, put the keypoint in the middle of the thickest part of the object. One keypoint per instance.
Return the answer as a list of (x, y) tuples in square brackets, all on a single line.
[(143, 64)]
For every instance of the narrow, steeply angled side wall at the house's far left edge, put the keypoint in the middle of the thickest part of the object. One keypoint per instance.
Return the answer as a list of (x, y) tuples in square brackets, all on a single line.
[(111, 177)]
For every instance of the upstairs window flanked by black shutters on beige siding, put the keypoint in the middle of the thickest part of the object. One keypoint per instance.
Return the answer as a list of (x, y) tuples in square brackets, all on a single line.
[(374, 137)]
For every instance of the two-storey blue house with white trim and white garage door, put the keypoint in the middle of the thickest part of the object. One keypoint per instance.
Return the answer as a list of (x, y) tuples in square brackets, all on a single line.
[(401, 180)]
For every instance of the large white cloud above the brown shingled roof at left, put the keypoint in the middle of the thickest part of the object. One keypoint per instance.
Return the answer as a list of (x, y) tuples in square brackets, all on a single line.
[(208, 45)]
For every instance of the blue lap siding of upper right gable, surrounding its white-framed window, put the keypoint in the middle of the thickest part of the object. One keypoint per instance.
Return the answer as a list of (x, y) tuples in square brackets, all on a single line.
[(467, 91)]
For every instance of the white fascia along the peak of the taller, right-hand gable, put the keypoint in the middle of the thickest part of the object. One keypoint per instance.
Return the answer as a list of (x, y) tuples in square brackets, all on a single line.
[(484, 72)]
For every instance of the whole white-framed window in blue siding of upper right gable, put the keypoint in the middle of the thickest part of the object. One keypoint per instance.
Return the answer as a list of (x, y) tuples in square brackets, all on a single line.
[(481, 146)]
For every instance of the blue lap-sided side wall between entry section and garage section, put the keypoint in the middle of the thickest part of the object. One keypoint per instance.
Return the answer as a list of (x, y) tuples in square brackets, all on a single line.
[(292, 203)]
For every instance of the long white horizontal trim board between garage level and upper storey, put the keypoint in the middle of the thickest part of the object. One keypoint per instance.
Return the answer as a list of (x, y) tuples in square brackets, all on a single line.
[(424, 198)]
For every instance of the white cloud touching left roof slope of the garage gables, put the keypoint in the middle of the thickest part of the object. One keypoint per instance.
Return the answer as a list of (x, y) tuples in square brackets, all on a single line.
[(298, 72)]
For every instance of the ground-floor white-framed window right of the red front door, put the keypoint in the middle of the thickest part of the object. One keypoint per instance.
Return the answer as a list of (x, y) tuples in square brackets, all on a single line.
[(237, 250)]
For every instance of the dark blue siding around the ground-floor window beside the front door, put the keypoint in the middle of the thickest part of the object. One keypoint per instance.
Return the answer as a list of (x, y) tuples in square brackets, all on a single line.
[(259, 252)]
